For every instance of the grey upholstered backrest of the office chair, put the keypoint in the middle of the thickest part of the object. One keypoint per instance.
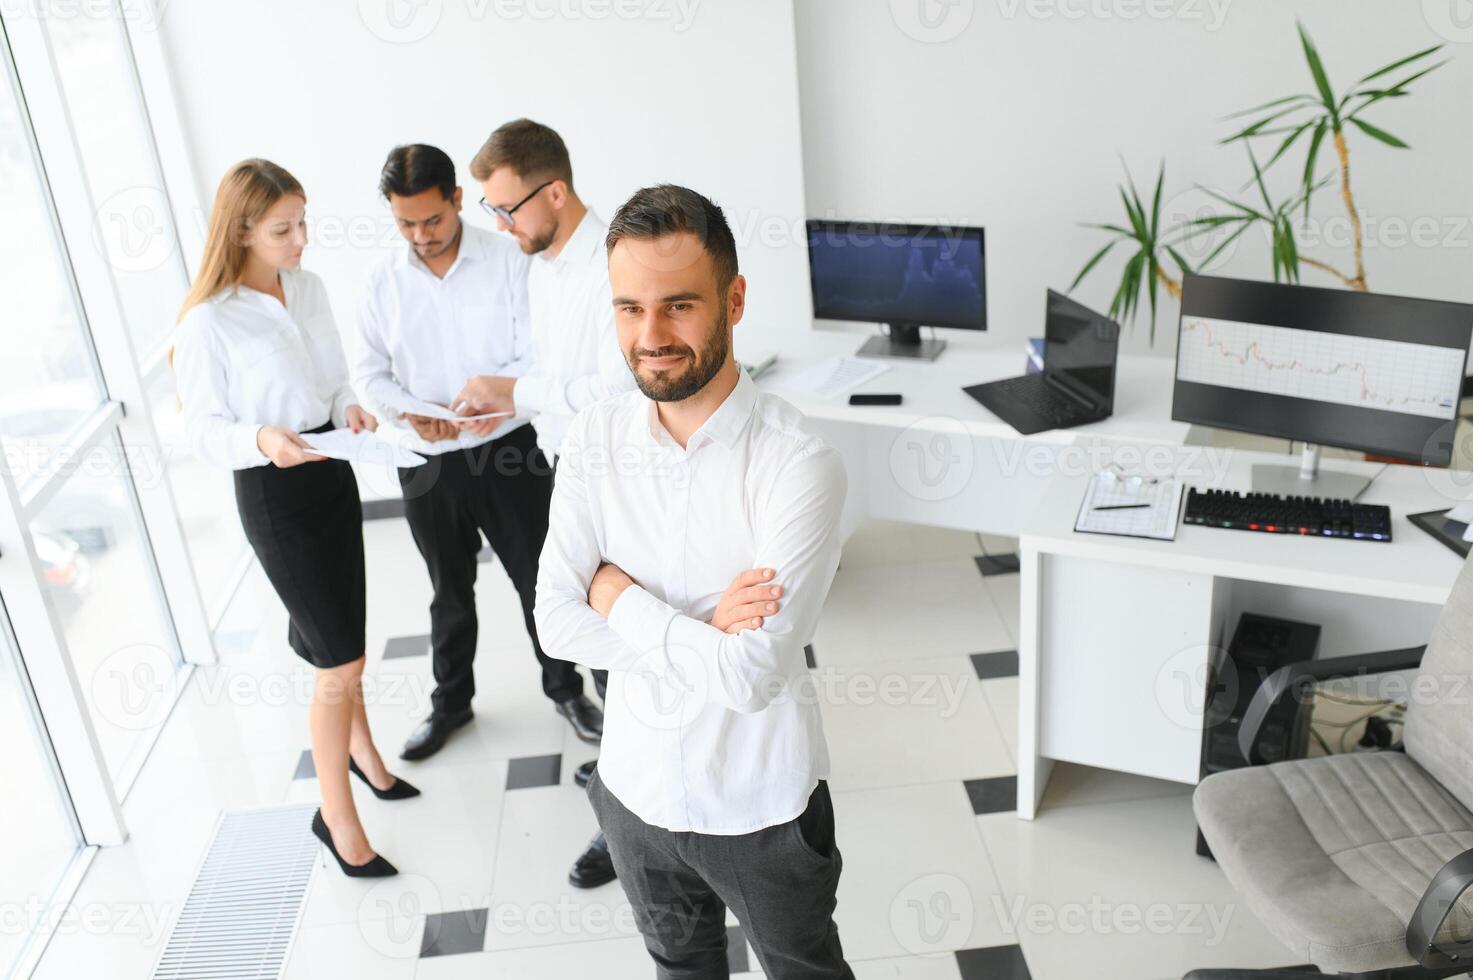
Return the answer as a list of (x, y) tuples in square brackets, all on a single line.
[(1440, 715)]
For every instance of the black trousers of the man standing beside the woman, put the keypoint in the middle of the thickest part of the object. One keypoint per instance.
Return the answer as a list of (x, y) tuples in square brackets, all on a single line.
[(502, 489)]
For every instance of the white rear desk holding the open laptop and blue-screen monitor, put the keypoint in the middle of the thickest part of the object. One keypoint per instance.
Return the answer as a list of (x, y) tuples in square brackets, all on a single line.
[(943, 459)]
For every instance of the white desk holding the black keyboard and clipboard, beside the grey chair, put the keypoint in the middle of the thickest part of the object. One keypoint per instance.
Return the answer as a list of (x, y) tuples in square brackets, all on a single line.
[(1116, 633)]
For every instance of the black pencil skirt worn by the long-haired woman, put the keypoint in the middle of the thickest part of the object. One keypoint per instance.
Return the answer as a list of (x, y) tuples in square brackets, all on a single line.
[(306, 525)]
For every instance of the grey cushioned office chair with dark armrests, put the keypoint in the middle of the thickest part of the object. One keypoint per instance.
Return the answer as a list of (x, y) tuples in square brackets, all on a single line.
[(1359, 863)]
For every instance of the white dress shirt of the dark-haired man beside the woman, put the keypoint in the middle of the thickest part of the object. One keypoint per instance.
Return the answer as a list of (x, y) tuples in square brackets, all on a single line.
[(423, 337)]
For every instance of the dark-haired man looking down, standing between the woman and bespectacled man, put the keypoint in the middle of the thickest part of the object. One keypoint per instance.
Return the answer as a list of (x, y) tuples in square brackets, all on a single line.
[(450, 306)]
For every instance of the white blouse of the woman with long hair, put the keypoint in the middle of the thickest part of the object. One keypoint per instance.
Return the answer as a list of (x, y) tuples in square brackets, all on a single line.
[(245, 362)]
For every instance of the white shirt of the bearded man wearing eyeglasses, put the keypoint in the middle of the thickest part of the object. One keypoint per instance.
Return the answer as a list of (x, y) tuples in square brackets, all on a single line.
[(575, 349)]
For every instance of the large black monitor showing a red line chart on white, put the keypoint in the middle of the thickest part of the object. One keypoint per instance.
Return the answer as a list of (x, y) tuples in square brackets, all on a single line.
[(1325, 366)]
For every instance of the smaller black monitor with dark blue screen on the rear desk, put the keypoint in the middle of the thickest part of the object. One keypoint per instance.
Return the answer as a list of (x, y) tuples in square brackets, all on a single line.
[(902, 275)]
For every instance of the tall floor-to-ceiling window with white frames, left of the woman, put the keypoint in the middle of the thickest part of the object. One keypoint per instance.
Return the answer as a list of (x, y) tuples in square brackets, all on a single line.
[(101, 608)]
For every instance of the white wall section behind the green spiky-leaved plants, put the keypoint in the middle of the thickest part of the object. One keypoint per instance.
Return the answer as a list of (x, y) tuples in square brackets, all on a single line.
[(1014, 114)]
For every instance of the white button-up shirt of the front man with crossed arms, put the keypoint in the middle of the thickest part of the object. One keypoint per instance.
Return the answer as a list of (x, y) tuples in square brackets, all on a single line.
[(703, 732)]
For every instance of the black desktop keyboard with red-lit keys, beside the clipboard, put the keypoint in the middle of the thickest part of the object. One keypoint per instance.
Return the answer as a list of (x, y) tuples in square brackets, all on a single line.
[(1309, 517)]
